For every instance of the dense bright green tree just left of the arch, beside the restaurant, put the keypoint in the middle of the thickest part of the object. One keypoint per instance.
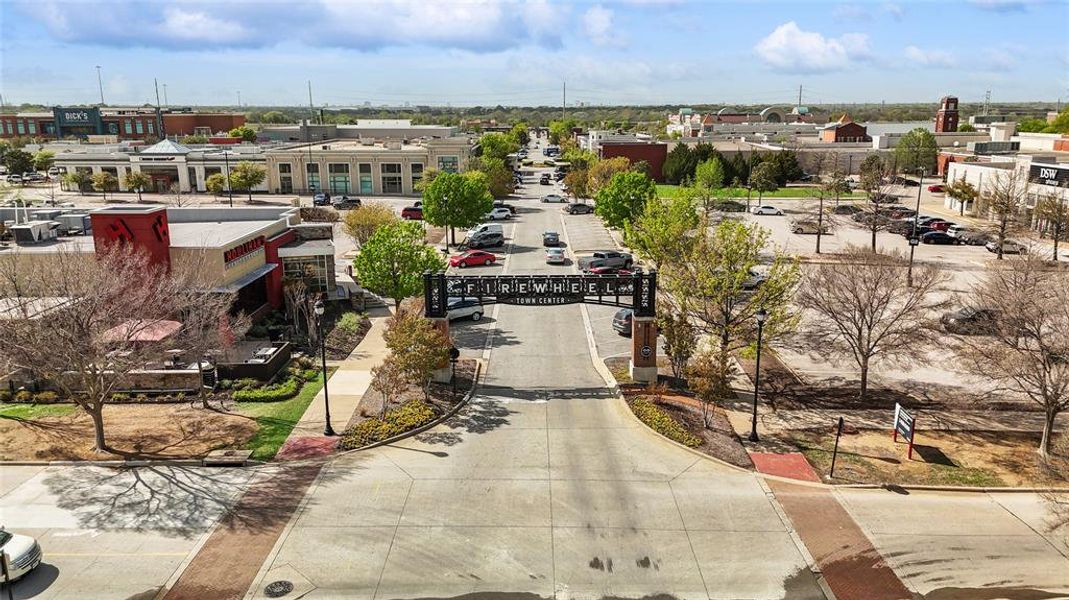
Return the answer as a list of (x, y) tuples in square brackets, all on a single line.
[(393, 263)]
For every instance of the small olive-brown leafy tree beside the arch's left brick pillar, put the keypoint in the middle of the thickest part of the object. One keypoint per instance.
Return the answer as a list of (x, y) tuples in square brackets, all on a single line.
[(417, 348)]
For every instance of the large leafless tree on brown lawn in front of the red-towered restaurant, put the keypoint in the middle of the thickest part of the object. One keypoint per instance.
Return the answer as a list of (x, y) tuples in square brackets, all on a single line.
[(87, 324)]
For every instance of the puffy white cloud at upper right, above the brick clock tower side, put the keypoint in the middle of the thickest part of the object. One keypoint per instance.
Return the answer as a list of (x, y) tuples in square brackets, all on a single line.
[(791, 49)]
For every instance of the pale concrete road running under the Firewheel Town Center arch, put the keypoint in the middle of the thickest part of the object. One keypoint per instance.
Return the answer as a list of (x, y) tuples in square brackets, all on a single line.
[(544, 485)]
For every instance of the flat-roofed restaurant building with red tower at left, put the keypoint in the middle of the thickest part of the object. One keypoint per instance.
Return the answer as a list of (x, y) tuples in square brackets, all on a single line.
[(247, 252)]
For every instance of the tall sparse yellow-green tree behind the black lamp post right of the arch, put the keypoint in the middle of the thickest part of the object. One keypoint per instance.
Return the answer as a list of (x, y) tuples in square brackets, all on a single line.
[(714, 282)]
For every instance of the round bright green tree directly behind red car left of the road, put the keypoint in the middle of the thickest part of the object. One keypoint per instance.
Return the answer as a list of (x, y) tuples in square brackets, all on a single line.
[(457, 201)]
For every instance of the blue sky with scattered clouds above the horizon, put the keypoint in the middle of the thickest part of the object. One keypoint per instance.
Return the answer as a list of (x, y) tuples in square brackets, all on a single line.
[(518, 53)]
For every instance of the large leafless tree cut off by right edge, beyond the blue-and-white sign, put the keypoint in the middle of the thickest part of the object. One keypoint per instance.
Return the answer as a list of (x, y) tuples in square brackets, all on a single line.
[(1029, 348)]
